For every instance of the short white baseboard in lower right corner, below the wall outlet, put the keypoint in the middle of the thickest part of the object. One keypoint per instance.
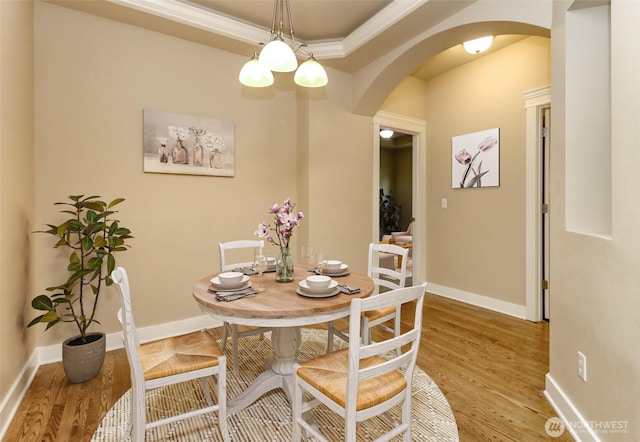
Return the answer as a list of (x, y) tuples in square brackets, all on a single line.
[(579, 428)]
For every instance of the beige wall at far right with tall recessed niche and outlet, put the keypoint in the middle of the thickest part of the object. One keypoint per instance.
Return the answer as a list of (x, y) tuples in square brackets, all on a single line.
[(595, 281)]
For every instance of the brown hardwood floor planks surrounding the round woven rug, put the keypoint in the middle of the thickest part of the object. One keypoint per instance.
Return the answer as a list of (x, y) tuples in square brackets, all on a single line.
[(490, 367)]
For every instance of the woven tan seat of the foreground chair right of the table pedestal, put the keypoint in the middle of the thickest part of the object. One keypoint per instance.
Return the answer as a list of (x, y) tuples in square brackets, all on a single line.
[(328, 374)]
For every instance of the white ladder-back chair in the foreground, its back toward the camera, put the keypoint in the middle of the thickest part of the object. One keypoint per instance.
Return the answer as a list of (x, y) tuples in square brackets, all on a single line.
[(363, 380)]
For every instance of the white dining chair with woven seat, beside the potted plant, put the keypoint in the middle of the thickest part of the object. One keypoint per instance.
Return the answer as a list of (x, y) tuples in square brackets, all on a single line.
[(169, 361)]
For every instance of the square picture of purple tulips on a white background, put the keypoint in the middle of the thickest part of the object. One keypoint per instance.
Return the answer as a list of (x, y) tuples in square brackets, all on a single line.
[(475, 159)]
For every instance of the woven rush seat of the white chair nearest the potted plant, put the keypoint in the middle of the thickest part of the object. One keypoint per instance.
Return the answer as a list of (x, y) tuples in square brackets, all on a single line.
[(179, 354)]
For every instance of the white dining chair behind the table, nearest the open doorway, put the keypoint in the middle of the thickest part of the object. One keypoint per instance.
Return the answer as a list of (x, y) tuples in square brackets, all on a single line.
[(384, 278)]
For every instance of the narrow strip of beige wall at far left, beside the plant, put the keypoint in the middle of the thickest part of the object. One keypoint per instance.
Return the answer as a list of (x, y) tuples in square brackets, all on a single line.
[(16, 187)]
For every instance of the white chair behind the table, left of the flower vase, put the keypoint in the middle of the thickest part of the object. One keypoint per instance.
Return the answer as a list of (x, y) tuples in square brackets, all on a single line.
[(227, 264)]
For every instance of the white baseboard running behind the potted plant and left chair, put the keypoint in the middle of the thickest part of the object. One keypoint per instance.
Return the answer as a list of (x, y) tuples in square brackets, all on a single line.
[(53, 353)]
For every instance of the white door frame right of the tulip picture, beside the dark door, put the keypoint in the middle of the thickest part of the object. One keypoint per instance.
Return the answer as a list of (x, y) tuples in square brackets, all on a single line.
[(535, 101)]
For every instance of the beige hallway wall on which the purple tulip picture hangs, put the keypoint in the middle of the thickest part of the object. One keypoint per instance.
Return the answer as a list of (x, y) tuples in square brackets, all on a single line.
[(476, 244)]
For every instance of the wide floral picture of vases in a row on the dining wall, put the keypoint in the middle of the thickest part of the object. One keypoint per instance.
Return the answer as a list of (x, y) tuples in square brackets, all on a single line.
[(183, 144)]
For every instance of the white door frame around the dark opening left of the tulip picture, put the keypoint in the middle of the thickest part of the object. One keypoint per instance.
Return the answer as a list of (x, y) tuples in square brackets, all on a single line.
[(418, 129)]
